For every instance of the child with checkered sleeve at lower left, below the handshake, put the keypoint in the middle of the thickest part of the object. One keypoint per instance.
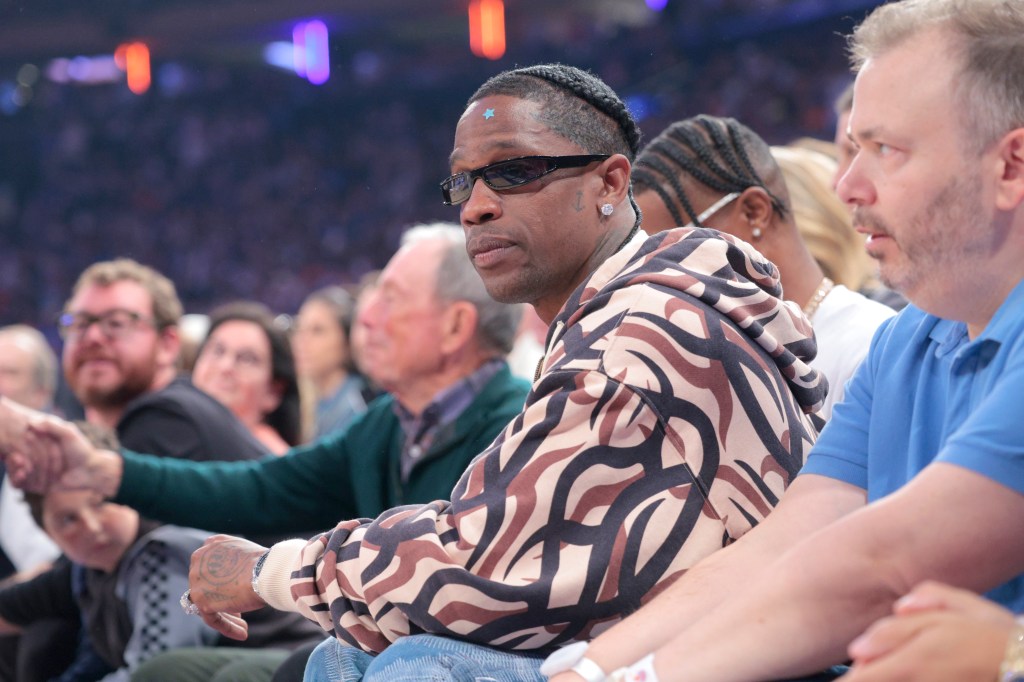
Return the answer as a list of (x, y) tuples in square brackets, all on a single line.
[(120, 576)]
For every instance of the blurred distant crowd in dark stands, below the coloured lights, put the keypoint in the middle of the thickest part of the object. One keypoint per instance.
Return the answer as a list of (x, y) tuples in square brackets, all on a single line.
[(251, 184)]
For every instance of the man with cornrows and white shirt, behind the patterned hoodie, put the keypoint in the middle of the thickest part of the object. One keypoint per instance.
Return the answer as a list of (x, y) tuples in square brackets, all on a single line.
[(716, 173)]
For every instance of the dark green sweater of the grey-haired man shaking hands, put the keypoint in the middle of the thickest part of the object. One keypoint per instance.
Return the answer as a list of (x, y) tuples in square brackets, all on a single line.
[(352, 475)]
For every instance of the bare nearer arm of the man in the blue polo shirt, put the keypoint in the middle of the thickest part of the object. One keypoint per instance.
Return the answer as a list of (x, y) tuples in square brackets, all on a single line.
[(949, 524)]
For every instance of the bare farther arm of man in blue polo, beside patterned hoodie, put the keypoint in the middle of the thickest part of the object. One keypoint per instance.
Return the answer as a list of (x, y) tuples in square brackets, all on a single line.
[(810, 504)]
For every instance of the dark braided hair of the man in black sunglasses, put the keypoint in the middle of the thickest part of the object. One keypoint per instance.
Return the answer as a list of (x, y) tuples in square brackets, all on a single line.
[(578, 106)]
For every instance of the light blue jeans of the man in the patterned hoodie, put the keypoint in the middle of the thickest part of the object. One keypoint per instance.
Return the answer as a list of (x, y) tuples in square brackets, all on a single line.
[(422, 659)]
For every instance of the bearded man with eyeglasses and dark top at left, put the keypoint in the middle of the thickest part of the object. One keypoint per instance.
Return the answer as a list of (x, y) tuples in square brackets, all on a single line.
[(120, 359)]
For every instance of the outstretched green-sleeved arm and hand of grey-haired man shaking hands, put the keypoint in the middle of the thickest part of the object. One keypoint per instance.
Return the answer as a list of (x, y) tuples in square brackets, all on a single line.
[(303, 491)]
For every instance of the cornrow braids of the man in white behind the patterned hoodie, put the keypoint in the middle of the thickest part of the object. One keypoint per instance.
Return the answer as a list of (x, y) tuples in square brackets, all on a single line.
[(719, 153)]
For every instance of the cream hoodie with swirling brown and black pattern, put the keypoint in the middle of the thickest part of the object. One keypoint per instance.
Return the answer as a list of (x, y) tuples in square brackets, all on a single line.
[(670, 416)]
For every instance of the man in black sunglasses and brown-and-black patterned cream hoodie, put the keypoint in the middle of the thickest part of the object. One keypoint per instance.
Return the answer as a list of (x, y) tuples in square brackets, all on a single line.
[(670, 412)]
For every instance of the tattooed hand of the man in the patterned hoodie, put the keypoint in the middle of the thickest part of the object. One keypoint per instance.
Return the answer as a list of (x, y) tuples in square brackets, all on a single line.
[(221, 579)]
